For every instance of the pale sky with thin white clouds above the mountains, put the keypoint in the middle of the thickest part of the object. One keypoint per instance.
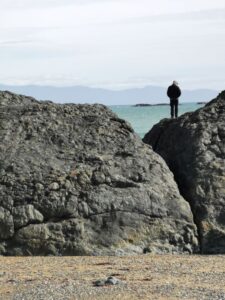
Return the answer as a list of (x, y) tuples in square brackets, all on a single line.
[(113, 44)]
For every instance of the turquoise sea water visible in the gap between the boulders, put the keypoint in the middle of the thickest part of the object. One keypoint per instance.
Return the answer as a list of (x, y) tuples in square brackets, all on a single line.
[(143, 118)]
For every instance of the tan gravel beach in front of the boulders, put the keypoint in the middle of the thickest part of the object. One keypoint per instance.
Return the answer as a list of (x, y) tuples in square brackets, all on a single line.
[(141, 277)]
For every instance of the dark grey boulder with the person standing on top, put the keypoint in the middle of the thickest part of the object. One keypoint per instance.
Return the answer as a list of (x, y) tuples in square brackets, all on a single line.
[(194, 148)]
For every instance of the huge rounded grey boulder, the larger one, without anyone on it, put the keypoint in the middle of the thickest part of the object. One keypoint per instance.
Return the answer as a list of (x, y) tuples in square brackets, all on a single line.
[(76, 180)]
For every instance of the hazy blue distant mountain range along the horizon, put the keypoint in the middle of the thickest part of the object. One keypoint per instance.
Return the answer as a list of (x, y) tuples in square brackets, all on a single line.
[(82, 94)]
